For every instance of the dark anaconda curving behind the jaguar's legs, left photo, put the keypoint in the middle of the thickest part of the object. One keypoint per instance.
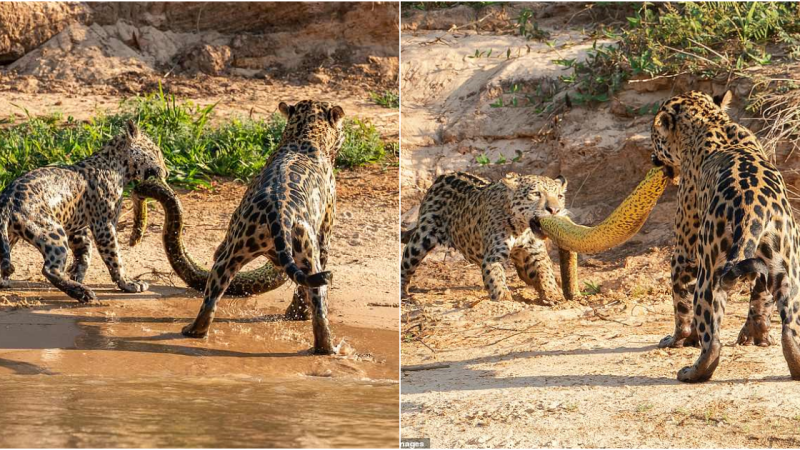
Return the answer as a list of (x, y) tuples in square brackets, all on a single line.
[(262, 279)]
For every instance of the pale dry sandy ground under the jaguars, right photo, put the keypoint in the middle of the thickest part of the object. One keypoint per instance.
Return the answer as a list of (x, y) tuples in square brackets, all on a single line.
[(585, 373)]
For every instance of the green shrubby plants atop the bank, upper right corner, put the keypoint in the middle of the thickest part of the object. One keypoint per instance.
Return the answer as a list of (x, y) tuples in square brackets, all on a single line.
[(701, 38)]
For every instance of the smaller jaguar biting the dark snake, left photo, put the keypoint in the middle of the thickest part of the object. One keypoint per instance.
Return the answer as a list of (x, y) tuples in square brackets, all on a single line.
[(55, 208)]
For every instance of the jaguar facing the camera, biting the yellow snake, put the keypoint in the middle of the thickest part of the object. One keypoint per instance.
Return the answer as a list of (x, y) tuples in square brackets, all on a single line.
[(488, 222)]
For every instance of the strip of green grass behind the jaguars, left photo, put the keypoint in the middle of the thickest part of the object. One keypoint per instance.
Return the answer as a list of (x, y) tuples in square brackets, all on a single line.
[(195, 150)]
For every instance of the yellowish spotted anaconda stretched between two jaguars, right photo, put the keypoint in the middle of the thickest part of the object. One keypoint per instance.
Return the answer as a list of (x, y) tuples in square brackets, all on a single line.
[(622, 224)]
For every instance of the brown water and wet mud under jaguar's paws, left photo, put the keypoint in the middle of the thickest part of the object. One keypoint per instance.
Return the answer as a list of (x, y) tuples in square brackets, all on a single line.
[(118, 373)]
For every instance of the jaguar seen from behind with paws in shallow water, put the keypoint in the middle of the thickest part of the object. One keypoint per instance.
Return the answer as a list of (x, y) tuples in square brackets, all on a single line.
[(287, 215)]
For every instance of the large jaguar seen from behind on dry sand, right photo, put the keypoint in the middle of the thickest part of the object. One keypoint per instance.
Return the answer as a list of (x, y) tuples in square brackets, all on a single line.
[(734, 220)]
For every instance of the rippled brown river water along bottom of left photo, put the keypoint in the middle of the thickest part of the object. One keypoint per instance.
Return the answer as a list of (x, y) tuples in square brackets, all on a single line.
[(80, 411)]
